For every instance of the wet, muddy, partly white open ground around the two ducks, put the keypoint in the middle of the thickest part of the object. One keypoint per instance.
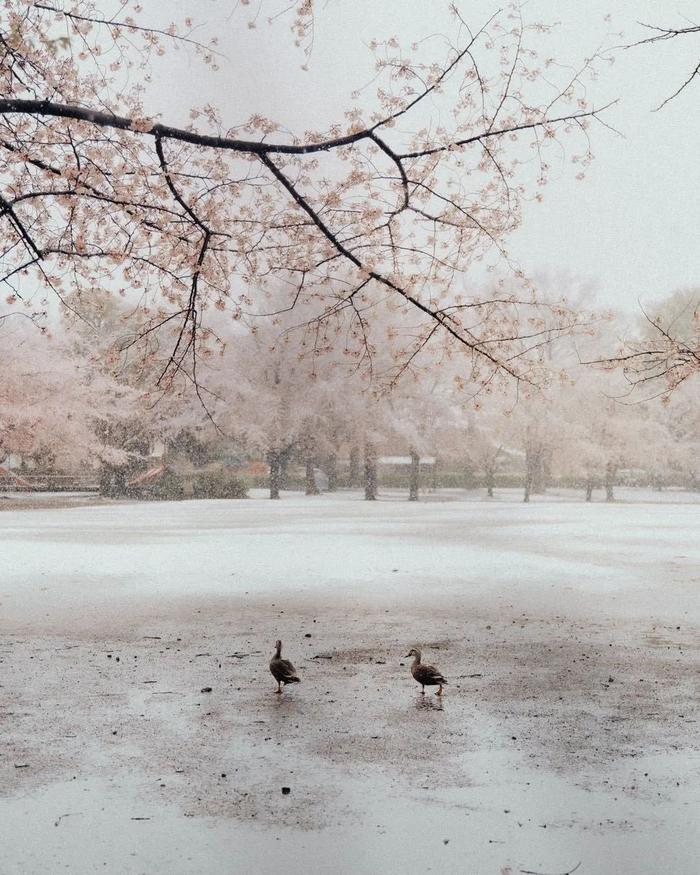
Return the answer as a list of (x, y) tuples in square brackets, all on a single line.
[(568, 732)]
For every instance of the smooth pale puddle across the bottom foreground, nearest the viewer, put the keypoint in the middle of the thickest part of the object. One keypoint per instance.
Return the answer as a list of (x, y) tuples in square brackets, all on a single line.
[(508, 816)]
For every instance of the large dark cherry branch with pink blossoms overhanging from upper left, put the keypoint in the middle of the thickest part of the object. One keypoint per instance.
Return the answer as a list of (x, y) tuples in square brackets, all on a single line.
[(394, 203)]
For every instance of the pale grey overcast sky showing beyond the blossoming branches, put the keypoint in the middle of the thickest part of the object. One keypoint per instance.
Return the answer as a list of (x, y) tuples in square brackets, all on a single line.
[(632, 226)]
